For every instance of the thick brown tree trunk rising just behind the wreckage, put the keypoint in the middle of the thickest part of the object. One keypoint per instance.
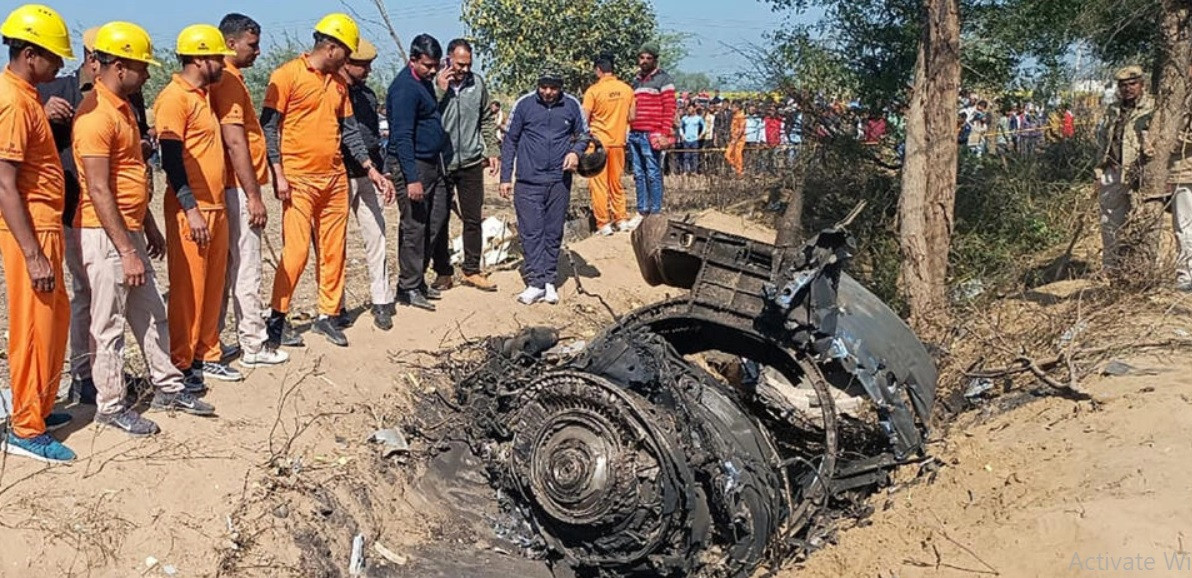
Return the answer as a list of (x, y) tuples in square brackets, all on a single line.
[(929, 172)]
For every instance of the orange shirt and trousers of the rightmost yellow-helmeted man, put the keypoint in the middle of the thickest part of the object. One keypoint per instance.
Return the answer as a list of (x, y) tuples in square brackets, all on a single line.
[(312, 105)]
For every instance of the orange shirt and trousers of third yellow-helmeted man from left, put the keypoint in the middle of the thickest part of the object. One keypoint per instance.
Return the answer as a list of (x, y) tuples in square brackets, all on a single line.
[(183, 113)]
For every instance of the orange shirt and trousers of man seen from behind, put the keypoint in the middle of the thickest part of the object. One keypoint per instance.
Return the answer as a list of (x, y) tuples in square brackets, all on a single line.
[(609, 103)]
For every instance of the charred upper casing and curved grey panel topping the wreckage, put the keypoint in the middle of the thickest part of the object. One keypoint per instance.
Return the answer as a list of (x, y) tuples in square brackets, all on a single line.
[(802, 301)]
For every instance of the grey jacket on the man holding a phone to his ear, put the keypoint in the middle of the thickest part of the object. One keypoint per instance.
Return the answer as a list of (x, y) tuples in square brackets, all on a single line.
[(469, 122)]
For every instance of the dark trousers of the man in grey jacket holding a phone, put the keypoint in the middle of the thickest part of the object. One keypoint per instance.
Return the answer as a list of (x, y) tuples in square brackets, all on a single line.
[(467, 187)]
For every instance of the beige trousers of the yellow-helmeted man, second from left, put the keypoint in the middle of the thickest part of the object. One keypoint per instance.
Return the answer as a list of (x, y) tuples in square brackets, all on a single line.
[(113, 304)]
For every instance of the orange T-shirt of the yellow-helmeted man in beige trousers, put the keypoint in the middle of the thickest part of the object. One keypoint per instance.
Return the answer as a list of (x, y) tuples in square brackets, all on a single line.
[(105, 126)]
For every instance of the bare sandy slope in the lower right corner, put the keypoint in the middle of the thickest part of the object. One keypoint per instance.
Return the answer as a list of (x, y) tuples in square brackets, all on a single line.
[(1044, 492)]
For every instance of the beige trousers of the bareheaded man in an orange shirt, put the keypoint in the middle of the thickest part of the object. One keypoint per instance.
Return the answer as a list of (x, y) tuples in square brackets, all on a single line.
[(244, 281)]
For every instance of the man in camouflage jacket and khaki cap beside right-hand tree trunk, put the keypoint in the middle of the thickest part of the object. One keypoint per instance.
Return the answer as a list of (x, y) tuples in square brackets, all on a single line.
[(1125, 151)]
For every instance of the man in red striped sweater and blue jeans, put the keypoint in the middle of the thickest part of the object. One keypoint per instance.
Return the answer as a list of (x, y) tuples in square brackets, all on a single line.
[(655, 116)]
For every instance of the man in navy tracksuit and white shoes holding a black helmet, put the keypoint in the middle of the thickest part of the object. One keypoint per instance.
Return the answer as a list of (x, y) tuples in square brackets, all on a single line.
[(547, 136)]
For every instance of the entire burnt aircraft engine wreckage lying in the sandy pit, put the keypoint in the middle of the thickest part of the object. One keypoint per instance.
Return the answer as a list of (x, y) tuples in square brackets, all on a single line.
[(631, 459)]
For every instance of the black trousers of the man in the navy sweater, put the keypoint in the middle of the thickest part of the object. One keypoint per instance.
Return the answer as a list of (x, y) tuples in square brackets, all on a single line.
[(423, 223)]
